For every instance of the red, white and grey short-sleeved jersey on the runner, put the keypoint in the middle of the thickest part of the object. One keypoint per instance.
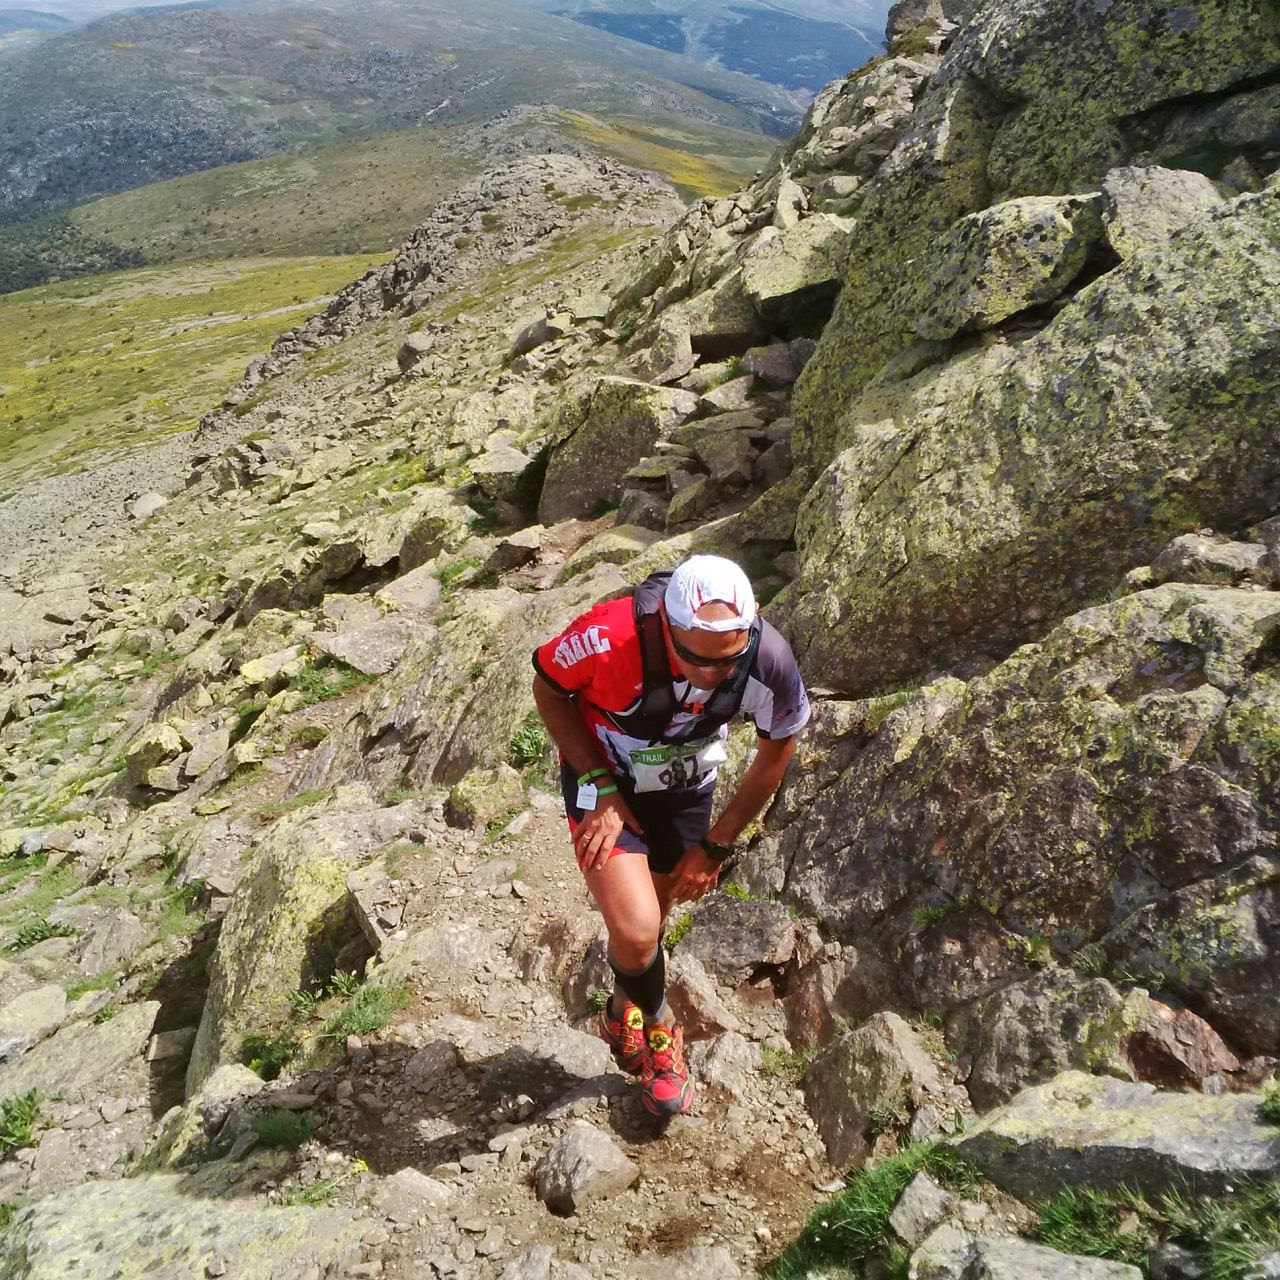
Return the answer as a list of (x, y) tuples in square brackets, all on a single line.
[(597, 659)]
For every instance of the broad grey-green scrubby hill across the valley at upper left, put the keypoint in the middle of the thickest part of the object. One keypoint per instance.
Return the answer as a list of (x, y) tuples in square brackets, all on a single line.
[(156, 94)]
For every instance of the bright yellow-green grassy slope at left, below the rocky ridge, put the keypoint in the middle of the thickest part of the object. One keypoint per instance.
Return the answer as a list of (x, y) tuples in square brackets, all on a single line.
[(108, 362)]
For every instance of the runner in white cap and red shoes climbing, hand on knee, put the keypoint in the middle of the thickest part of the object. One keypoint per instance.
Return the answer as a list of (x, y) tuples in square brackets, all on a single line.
[(638, 694)]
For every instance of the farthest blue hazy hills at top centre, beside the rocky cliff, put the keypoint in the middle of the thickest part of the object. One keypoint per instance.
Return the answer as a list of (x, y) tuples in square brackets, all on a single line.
[(796, 44)]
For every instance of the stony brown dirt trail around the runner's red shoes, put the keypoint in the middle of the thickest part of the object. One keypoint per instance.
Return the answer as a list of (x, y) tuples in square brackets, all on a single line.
[(740, 1171)]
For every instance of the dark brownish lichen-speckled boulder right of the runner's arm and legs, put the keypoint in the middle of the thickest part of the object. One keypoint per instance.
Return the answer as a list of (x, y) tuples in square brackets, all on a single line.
[(1105, 801)]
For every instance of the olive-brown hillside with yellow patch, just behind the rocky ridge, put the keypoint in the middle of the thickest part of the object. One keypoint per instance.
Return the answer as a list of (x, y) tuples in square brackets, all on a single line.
[(346, 198)]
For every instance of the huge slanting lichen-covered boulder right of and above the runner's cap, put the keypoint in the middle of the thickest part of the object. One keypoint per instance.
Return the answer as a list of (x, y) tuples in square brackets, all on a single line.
[(976, 500)]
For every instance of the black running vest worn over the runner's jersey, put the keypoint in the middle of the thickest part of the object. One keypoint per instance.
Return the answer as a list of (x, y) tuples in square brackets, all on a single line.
[(650, 719)]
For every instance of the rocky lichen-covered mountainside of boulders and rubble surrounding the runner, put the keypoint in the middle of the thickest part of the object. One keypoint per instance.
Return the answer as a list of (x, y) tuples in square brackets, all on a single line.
[(301, 979)]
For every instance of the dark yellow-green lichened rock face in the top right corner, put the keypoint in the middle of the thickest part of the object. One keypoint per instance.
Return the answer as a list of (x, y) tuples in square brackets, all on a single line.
[(1034, 99)]
